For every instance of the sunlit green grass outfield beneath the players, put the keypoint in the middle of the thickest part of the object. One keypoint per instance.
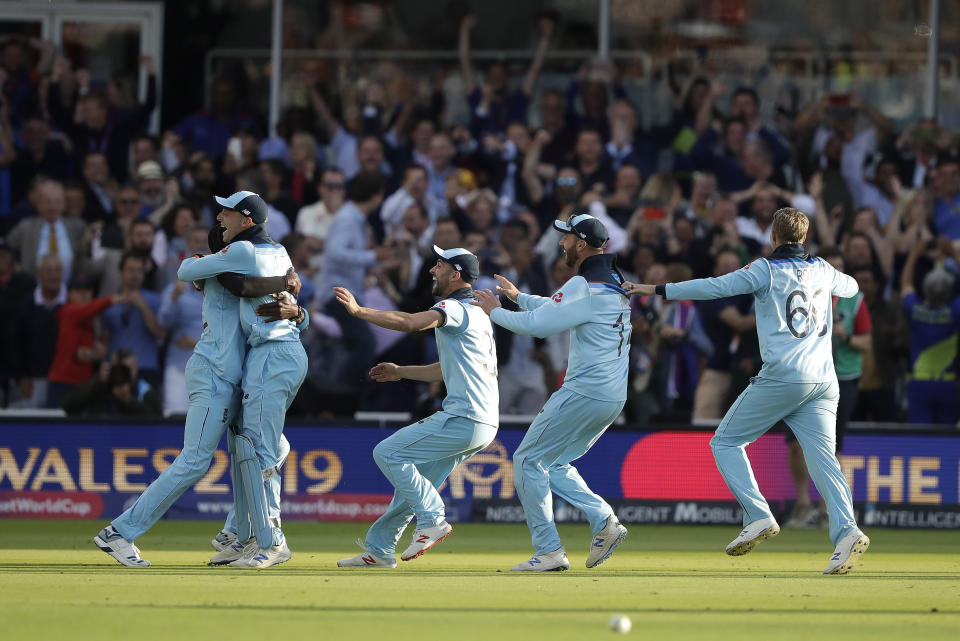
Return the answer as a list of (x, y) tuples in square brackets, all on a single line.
[(673, 582)]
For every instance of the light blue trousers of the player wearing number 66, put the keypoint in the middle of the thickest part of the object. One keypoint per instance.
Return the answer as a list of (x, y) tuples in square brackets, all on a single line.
[(810, 409)]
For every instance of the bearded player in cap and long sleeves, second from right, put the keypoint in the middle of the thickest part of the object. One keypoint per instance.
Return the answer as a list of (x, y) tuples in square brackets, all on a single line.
[(596, 310)]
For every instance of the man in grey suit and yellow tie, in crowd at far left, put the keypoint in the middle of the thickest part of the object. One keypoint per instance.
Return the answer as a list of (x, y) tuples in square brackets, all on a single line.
[(48, 232)]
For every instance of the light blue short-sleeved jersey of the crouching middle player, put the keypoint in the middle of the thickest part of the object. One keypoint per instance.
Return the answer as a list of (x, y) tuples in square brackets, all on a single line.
[(468, 359)]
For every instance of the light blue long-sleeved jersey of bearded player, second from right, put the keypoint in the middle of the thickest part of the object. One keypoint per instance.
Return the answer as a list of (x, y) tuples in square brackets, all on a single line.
[(593, 306)]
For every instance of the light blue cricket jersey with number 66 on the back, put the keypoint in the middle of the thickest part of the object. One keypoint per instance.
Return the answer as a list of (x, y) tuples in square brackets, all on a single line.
[(793, 308)]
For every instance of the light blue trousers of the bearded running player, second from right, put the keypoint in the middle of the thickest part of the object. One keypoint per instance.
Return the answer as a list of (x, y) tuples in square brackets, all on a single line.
[(564, 430)]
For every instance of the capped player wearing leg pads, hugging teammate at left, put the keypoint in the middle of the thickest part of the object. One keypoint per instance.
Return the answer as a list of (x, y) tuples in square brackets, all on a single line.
[(273, 371)]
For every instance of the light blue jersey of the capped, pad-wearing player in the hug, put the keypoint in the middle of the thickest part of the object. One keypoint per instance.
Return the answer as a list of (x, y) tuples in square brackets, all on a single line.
[(250, 258)]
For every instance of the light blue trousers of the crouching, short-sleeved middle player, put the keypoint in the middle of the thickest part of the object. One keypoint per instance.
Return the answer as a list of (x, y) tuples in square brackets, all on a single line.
[(417, 459)]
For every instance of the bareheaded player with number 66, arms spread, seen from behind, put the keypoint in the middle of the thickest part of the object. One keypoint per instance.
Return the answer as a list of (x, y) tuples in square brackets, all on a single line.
[(797, 383)]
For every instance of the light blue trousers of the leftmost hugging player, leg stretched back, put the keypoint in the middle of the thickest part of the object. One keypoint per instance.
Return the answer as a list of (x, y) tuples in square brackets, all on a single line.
[(214, 404)]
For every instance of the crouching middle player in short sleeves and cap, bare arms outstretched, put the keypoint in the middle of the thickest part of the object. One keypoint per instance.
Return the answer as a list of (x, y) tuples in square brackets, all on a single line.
[(419, 457)]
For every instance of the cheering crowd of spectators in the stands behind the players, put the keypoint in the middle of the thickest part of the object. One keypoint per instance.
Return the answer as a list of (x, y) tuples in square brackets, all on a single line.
[(96, 215)]
